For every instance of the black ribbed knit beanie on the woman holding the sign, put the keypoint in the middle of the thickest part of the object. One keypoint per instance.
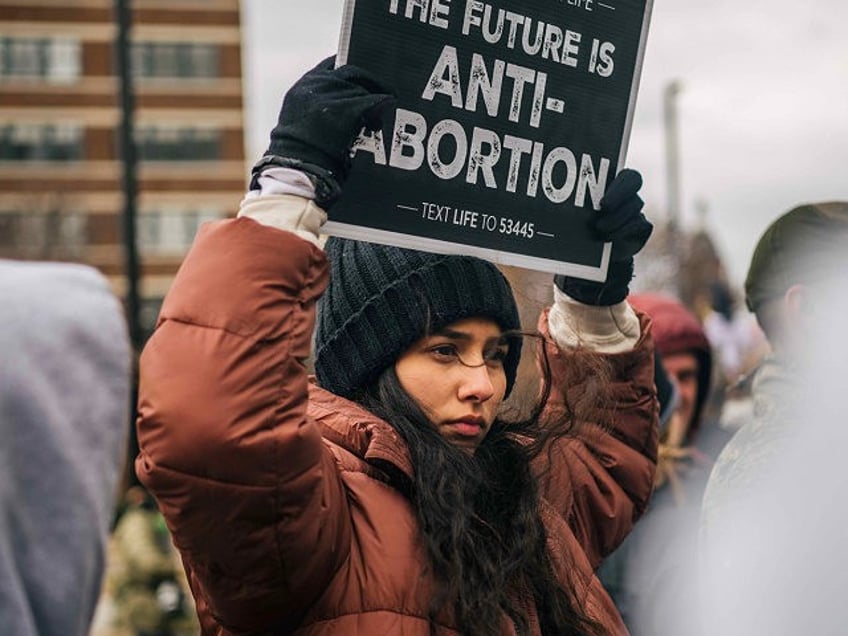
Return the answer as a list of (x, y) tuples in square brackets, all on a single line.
[(381, 299)]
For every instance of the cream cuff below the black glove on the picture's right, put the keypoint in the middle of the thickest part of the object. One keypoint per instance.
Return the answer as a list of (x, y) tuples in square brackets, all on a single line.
[(613, 329)]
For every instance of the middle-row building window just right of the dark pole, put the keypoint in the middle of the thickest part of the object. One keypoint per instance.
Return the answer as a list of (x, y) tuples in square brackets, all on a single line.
[(178, 144)]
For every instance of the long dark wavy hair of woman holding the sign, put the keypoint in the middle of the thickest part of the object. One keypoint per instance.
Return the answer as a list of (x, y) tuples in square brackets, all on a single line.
[(479, 515)]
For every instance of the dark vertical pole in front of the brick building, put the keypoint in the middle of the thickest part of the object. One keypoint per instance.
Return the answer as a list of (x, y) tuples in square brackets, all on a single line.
[(129, 161)]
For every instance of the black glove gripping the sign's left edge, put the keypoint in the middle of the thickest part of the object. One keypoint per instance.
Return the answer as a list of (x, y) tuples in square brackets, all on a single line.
[(321, 116)]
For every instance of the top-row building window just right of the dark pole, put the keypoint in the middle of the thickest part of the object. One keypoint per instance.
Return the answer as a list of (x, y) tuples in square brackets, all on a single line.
[(175, 60)]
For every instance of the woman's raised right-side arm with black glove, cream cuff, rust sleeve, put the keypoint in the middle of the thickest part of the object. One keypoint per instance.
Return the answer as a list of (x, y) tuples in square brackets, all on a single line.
[(601, 355)]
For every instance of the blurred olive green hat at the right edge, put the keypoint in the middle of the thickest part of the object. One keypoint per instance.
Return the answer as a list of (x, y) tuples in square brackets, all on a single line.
[(807, 245)]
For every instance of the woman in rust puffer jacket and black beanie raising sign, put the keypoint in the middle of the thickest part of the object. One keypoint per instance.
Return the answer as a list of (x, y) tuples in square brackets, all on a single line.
[(388, 497)]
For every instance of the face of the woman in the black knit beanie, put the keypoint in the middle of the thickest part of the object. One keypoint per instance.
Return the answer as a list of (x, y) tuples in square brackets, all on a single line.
[(456, 376)]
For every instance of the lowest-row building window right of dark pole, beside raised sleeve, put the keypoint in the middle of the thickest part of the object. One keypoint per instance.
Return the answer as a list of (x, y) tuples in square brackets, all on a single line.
[(168, 232)]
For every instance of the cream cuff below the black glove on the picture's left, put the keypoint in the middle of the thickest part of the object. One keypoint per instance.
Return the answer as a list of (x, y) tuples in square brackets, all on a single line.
[(286, 212)]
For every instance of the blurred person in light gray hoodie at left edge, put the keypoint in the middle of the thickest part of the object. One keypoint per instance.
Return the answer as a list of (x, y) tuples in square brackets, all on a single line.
[(64, 418)]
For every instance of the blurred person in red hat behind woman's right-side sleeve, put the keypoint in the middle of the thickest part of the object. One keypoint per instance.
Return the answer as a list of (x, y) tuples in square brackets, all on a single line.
[(651, 576)]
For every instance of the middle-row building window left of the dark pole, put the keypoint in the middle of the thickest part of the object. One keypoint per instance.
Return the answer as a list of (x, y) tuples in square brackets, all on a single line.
[(40, 142)]
